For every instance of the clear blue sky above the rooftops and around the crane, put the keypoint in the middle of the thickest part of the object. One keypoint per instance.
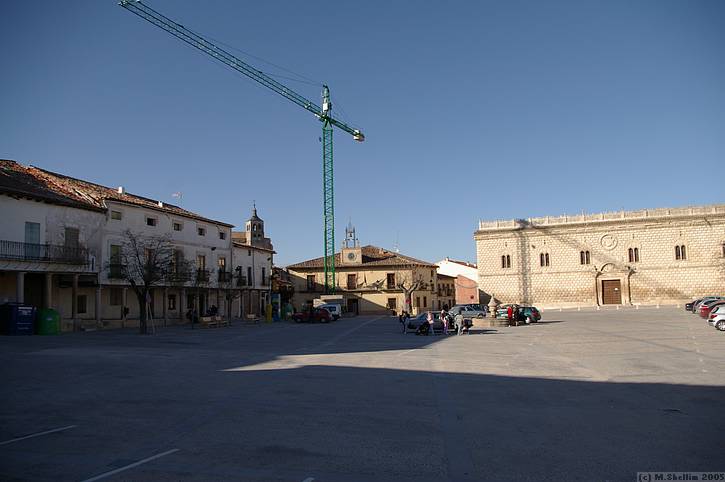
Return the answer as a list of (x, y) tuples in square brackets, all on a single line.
[(489, 110)]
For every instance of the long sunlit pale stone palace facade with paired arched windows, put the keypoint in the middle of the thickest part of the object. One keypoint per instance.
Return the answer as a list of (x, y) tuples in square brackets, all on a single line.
[(628, 257)]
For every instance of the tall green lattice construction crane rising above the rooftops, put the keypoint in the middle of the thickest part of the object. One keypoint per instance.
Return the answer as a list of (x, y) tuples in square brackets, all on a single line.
[(324, 114)]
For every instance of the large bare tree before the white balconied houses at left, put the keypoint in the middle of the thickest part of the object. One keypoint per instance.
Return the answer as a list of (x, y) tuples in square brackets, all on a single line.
[(144, 262)]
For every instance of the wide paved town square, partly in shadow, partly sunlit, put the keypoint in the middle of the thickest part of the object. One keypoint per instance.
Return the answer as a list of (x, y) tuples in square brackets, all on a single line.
[(583, 395)]
